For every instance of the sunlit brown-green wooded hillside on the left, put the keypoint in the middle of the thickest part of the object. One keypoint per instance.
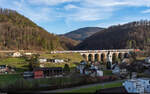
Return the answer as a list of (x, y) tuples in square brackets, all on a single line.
[(18, 32)]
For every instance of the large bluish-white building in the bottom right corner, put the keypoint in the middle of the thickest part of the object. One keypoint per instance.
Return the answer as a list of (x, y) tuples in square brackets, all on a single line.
[(141, 85)]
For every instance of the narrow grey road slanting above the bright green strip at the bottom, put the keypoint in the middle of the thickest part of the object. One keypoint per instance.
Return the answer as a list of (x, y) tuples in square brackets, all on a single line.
[(79, 87)]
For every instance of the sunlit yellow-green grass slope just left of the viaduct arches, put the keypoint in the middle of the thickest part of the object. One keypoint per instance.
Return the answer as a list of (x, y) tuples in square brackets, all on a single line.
[(73, 58)]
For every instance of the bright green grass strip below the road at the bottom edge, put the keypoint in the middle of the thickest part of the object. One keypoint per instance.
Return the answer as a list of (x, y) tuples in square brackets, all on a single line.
[(93, 89)]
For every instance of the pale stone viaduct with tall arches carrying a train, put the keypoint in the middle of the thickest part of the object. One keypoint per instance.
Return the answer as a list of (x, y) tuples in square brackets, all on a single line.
[(101, 55)]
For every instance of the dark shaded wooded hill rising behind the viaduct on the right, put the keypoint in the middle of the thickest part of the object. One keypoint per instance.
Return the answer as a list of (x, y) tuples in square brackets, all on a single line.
[(130, 35)]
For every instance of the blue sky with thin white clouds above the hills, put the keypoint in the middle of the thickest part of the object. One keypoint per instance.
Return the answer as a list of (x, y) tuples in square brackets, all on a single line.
[(62, 16)]
